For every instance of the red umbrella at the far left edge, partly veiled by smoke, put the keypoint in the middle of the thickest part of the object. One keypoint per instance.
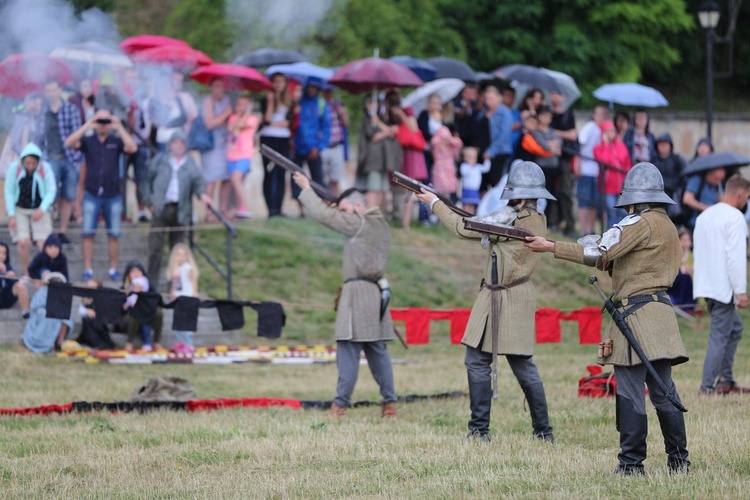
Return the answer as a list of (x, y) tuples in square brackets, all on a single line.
[(24, 73)]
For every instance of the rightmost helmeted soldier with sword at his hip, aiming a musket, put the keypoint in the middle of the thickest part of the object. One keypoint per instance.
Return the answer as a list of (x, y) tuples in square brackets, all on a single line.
[(642, 253)]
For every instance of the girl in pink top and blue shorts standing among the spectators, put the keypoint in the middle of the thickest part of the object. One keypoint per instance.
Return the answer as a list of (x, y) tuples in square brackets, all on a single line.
[(243, 125)]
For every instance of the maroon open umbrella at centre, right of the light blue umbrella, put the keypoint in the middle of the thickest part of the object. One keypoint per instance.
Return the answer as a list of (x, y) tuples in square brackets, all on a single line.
[(367, 74)]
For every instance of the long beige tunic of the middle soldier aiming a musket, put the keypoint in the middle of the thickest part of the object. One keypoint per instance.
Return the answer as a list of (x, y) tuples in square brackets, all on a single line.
[(517, 333)]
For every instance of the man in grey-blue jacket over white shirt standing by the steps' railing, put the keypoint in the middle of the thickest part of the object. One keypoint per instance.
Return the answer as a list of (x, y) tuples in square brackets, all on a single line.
[(173, 180)]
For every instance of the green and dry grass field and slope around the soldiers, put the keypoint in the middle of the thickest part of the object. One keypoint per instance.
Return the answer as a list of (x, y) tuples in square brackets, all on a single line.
[(285, 453)]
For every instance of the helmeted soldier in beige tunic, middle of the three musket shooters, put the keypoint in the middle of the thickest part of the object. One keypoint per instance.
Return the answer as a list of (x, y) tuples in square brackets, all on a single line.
[(515, 299)]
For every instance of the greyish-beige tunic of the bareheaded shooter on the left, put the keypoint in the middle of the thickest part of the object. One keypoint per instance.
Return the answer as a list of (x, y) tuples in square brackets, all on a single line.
[(365, 256)]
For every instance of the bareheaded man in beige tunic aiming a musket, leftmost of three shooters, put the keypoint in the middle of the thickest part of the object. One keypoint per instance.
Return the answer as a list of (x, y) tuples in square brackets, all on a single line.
[(360, 323)]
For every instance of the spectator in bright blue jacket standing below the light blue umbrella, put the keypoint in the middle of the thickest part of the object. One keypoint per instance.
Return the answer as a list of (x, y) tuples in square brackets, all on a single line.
[(313, 132)]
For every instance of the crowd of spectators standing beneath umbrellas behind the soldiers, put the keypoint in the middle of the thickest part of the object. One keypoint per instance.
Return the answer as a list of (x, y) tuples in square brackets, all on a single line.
[(75, 154)]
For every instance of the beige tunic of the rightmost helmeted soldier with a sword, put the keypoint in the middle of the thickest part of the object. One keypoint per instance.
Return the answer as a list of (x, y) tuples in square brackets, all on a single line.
[(646, 260)]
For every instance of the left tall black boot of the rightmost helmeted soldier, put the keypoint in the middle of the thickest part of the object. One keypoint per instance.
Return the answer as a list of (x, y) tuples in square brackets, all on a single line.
[(633, 432)]
